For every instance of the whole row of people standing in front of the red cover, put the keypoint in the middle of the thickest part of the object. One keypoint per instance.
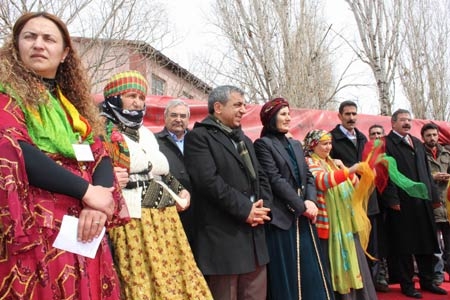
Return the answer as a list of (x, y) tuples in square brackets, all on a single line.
[(204, 213)]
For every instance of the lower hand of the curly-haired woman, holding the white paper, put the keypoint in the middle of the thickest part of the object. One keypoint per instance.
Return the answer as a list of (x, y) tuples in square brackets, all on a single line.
[(90, 224)]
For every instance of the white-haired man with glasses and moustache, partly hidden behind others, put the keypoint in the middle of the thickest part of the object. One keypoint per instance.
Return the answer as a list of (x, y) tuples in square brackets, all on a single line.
[(171, 143)]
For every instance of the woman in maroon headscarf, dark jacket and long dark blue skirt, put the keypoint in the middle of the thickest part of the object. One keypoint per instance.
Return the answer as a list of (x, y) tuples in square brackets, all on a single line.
[(296, 269)]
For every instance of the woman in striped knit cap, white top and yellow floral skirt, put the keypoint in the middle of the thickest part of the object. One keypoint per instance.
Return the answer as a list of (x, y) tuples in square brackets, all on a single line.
[(152, 252)]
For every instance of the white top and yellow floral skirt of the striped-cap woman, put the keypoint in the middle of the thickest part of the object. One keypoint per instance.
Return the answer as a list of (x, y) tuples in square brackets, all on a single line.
[(152, 252)]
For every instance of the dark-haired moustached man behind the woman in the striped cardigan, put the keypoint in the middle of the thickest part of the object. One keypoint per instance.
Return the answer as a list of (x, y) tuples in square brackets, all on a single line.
[(348, 145)]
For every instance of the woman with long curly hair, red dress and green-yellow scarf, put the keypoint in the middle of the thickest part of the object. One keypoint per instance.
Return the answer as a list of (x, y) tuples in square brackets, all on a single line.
[(52, 165)]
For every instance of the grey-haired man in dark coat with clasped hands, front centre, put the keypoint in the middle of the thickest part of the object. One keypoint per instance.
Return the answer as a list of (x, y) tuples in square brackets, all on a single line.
[(231, 193)]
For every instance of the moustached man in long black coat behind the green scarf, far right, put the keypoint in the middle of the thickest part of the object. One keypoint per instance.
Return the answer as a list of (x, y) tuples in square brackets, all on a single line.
[(410, 220)]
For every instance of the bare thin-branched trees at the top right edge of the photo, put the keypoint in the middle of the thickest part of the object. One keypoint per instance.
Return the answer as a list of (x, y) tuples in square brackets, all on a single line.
[(424, 63)]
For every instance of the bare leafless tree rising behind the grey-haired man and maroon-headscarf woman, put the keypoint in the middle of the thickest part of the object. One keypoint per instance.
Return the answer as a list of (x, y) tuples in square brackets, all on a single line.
[(277, 48)]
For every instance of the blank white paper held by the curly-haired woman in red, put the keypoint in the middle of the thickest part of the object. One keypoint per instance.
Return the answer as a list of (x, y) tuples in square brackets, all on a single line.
[(67, 239)]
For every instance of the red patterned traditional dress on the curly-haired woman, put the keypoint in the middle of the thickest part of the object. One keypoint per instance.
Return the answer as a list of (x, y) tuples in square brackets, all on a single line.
[(30, 218)]
